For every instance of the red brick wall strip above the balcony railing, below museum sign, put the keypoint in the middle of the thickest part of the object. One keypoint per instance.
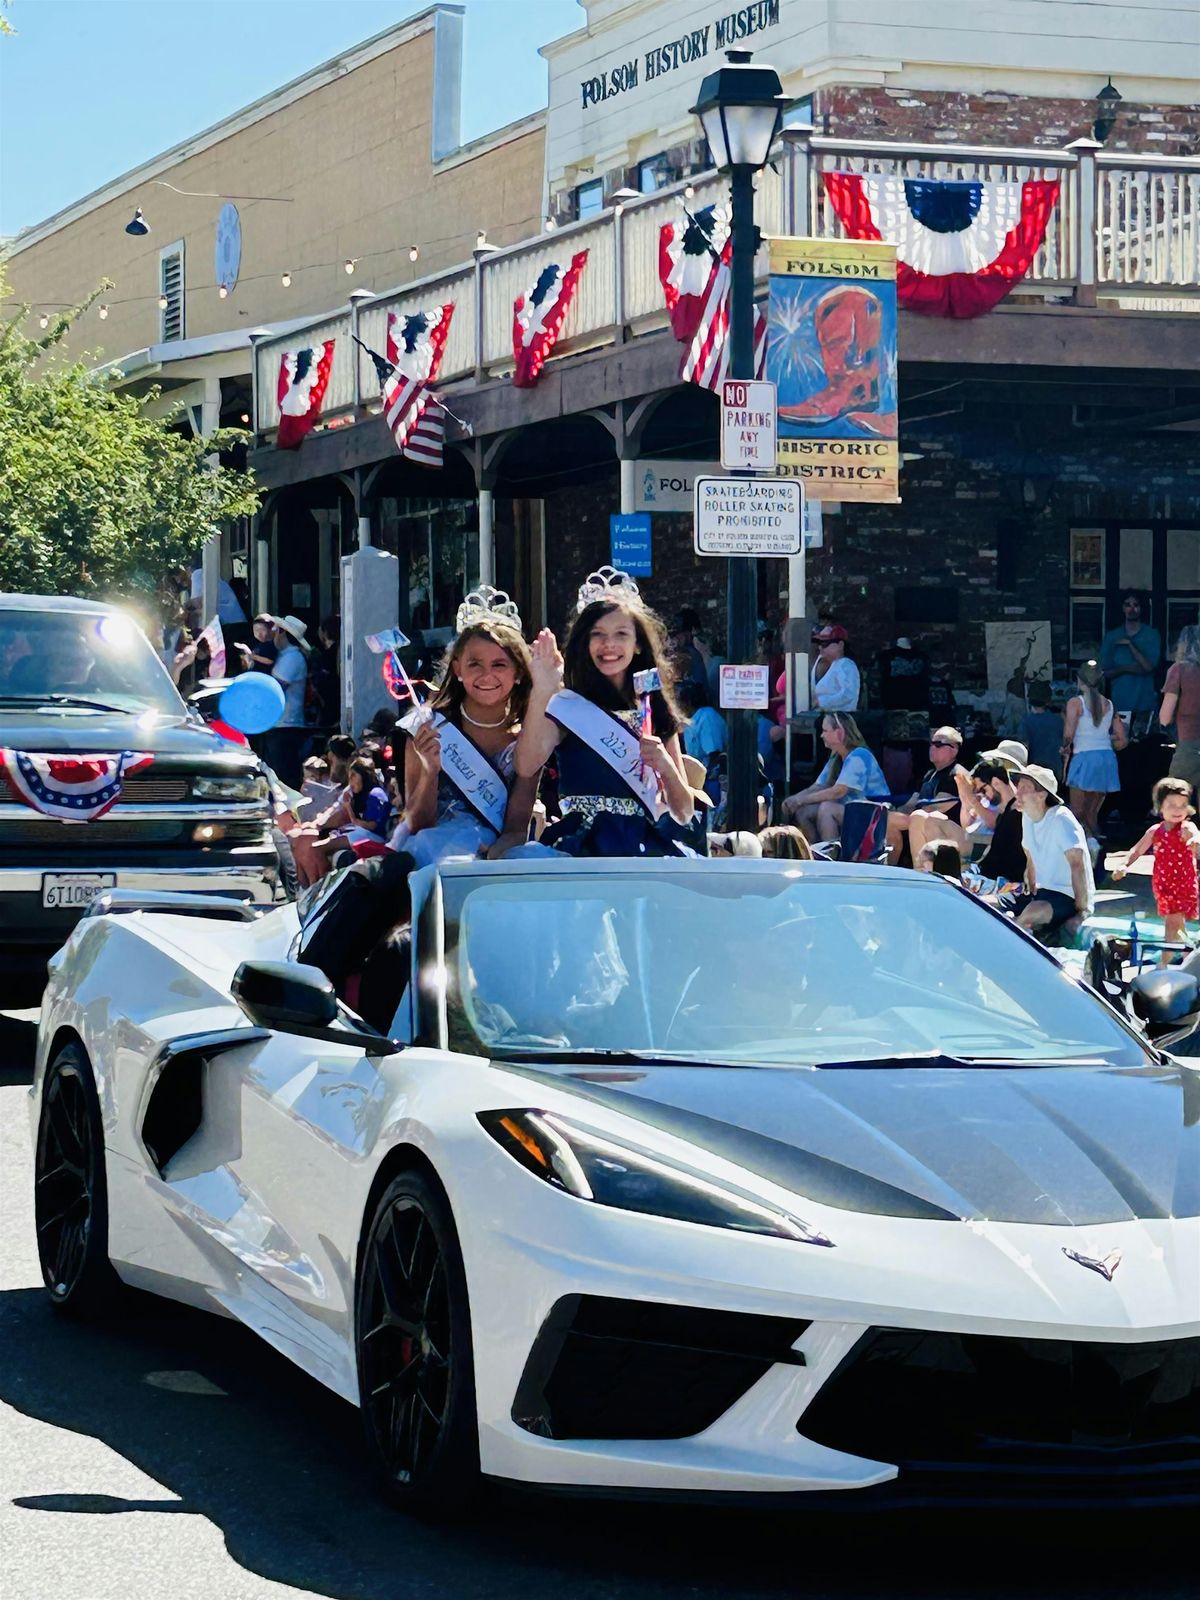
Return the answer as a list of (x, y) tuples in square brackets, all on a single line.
[(996, 118)]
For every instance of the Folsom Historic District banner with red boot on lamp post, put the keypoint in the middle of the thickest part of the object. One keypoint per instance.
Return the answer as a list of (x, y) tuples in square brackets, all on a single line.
[(831, 353)]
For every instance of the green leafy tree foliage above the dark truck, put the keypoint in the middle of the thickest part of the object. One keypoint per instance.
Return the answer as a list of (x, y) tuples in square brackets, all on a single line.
[(98, 498)]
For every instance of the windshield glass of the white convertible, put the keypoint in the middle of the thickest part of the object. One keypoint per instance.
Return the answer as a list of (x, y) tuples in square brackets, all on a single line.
[(754, 969)]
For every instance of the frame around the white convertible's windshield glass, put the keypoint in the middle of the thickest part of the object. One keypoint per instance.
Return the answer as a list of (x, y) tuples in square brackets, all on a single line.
[(737, 879)]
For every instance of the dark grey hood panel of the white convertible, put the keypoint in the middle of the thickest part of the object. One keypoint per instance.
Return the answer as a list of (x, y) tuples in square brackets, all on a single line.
[(1068, 1146)]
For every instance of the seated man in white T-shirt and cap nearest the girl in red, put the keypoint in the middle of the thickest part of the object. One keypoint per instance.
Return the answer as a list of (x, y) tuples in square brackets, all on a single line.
[(1060, 884)]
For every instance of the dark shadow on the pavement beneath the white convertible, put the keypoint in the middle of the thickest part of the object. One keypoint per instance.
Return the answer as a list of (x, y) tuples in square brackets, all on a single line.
[(274, 1462)]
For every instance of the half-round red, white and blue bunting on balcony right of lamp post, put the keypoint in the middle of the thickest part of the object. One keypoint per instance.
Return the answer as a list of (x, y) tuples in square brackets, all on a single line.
[(961, 246)]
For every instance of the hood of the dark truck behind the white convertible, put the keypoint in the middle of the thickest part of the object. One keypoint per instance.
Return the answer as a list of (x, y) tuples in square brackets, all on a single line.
[(78, 730)]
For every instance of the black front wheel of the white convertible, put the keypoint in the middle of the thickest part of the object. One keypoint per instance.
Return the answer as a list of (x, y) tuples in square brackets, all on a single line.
[(415, 1361)]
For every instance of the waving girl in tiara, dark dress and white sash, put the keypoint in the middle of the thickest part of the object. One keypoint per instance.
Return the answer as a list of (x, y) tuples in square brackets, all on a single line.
[(620, 761)]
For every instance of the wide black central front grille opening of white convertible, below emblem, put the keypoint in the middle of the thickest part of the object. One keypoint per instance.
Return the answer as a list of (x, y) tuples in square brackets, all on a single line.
[(993, 1407)]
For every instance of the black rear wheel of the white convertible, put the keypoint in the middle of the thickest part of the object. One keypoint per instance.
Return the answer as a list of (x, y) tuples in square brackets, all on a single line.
[(71, 1209)]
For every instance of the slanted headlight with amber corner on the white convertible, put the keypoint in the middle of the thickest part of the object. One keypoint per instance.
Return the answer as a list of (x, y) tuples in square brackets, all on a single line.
[(596, 1167)]
